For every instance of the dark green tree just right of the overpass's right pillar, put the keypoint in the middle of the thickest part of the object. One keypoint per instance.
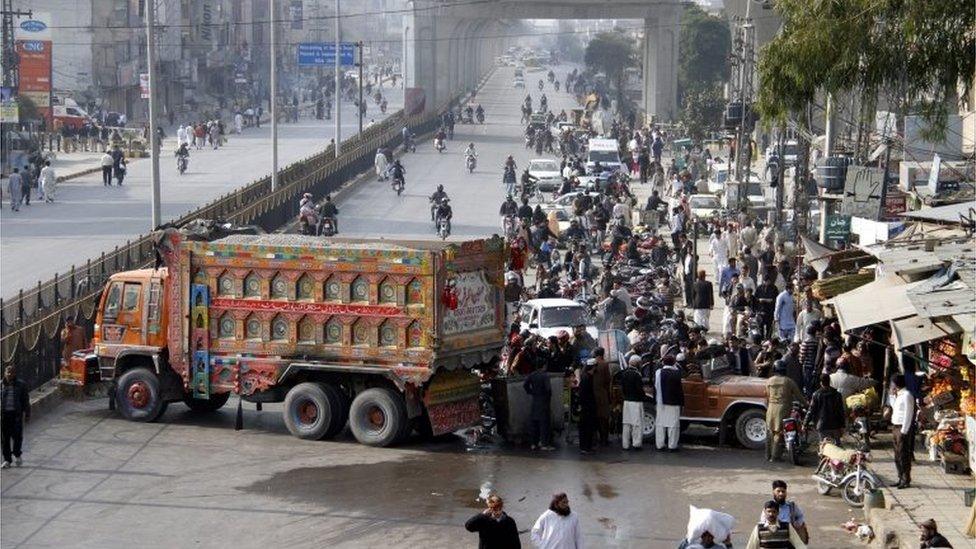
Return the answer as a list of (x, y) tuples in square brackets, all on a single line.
[(703, 51)]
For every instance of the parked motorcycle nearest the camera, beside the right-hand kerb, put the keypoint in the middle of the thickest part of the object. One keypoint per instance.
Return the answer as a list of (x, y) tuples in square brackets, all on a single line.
[(845, 470)]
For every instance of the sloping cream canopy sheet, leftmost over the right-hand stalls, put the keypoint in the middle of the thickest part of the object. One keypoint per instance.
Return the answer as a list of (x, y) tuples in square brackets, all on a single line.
[(879, 301)]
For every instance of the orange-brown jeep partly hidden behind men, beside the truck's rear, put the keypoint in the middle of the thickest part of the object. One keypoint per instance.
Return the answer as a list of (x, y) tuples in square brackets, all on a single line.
[(715, 397)]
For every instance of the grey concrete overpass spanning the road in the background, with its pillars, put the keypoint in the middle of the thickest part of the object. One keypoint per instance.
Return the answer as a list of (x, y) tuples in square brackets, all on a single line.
[(448, 44)]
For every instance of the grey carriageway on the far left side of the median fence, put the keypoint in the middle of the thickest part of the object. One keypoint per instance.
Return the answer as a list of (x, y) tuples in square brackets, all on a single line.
[(88, 218)]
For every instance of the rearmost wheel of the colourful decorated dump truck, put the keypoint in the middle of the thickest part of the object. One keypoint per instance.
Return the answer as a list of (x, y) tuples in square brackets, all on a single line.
[(377, 417)]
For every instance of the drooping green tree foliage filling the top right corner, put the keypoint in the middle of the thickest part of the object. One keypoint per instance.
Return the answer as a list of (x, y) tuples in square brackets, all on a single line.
[(917, 53)]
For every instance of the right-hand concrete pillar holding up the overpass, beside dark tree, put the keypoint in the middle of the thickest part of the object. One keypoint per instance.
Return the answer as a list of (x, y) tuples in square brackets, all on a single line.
[(660, 49)]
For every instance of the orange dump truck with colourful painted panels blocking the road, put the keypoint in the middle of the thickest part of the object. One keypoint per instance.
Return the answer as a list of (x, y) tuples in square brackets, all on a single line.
[(380, 334)]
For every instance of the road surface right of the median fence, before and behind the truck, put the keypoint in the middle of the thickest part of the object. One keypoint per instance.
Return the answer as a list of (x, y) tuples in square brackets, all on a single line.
[(91, 479)]
